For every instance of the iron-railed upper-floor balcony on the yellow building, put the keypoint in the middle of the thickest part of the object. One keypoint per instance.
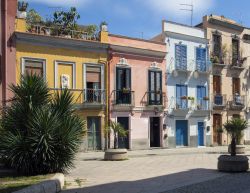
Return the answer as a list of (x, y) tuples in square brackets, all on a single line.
[(85, 98)]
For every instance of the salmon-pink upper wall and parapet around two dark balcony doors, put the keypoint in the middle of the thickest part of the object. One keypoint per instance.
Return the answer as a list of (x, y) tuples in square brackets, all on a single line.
[(139, 64)]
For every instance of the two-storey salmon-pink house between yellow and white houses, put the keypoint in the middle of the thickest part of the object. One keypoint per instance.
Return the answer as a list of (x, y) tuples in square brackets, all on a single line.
[(136, 90)]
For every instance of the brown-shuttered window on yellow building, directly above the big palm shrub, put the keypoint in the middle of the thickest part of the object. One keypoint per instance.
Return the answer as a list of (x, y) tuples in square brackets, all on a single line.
[(33, 66)]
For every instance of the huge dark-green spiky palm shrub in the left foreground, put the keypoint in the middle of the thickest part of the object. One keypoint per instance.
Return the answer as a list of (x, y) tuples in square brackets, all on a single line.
[(40, 132)]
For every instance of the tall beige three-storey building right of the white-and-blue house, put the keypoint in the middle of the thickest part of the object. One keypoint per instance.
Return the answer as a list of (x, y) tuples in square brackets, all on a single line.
[(229, 79)]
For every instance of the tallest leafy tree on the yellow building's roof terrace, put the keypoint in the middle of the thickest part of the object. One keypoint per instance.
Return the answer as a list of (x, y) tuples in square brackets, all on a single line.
[(66, 21)]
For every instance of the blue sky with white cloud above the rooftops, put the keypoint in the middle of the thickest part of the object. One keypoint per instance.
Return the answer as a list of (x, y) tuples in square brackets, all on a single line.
[(142, 18)]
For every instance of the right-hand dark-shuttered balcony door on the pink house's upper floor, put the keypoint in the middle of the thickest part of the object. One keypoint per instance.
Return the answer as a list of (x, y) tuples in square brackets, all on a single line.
[(155, 87)]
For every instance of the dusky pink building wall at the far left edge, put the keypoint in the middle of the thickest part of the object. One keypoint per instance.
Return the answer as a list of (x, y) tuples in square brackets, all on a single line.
[(7, 49)]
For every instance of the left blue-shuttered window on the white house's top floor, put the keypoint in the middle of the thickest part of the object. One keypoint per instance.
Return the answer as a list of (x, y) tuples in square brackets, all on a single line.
[(181, 57)]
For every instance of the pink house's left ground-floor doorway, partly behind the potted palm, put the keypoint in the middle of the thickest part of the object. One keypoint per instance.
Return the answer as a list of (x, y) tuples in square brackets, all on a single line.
[(123, 142)]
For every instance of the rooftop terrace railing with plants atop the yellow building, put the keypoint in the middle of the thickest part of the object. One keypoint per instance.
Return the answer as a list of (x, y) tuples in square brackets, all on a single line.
[(61, 31)]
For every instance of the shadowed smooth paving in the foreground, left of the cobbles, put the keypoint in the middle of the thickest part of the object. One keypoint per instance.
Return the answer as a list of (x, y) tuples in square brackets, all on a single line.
[(158, 184)]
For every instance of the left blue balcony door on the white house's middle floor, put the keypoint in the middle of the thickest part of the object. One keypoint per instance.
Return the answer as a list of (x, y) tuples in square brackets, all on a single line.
[(181, 93)]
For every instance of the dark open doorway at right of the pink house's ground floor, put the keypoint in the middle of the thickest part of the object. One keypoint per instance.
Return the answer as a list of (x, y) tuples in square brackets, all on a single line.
[(155, 132)]
